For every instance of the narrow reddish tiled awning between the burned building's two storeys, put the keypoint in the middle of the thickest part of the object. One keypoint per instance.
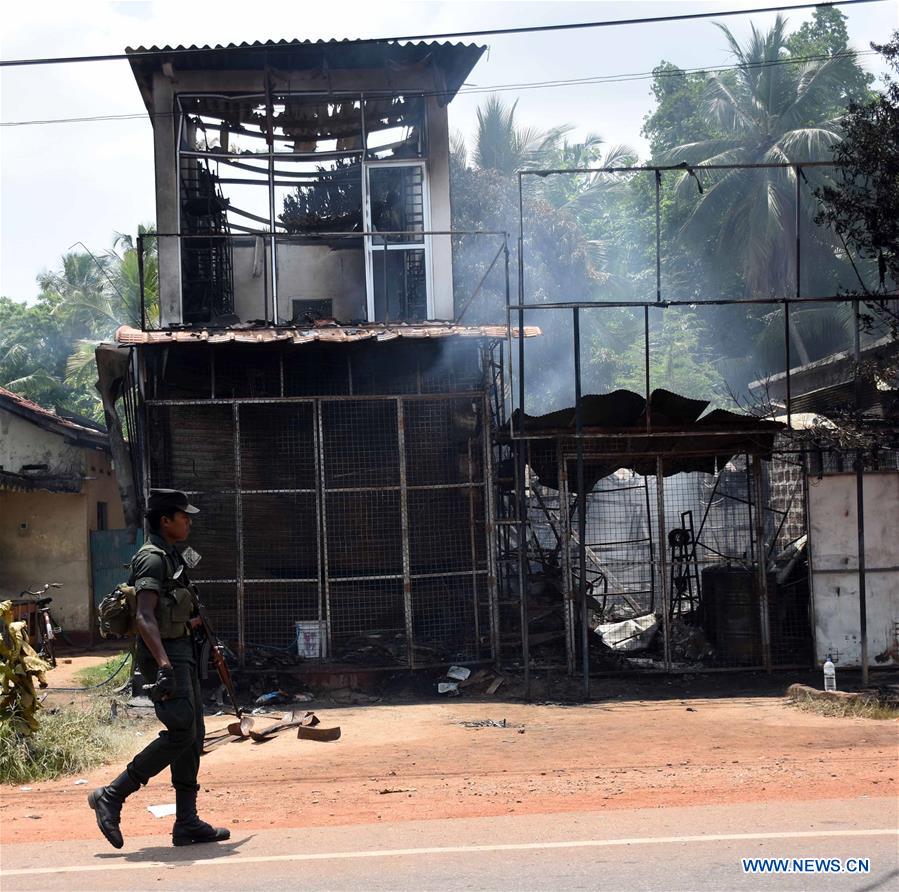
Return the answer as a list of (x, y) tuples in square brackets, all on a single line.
[(327, 334)]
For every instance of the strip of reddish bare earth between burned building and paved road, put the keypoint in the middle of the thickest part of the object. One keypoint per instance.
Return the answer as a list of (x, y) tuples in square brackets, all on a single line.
[(414, 761)]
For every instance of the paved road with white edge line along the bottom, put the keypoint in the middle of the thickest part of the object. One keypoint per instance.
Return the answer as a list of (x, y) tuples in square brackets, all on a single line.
[(698, 848)]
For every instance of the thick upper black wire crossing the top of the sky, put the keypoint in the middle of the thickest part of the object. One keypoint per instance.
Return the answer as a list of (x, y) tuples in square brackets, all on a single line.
[(529, 29)]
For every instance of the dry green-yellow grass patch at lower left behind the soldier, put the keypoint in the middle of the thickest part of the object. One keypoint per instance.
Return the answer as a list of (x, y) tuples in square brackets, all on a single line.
[(69, 740)]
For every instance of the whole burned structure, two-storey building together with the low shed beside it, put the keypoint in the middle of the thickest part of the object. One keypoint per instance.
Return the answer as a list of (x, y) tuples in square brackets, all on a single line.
[(369, 496)]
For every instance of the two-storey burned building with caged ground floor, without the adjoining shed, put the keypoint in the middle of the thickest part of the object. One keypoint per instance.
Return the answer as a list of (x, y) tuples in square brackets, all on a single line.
[(301, 376)]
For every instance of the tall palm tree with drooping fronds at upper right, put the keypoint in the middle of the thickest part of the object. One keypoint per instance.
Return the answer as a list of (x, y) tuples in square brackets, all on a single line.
[(770, 112)]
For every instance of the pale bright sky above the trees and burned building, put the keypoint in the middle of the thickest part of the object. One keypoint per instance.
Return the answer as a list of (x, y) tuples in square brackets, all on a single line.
[(65, 183)]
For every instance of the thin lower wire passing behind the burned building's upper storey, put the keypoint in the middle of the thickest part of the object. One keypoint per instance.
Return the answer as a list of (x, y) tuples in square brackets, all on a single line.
[(521, 86)]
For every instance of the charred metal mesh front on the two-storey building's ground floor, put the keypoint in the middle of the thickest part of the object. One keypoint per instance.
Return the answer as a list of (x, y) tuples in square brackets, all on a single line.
[(346, 486)]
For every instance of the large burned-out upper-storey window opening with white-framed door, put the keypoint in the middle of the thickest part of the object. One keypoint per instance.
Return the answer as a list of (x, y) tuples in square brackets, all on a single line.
[(292, 173)]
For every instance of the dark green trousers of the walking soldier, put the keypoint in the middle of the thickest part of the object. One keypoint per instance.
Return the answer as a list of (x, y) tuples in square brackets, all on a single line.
[(181, 743)]
